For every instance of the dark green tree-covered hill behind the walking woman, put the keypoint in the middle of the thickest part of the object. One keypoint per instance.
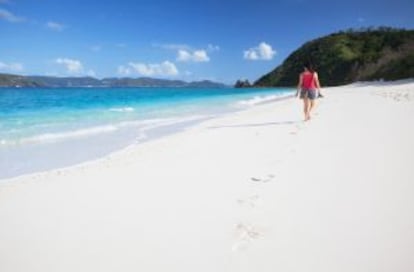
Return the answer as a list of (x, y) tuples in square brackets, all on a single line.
[(349, 56)]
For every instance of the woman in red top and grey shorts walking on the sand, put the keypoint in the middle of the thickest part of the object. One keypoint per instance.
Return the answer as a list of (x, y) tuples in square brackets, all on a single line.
[(308, 89)]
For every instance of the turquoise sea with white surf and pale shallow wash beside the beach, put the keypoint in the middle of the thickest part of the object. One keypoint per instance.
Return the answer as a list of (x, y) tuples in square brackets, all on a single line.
[(41, 129)]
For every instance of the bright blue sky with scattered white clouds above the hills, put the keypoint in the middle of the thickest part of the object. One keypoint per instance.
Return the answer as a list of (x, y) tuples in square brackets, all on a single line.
[(220, 40)]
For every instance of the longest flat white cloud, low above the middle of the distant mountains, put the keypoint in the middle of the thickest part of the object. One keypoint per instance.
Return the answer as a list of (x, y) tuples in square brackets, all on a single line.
[(165, 68)]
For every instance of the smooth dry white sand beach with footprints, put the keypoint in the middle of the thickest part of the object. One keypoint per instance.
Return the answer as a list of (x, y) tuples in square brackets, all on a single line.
[(257, 190)]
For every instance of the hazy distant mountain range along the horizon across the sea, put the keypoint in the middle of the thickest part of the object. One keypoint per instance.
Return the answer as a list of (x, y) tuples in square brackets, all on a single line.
[(8, 80)]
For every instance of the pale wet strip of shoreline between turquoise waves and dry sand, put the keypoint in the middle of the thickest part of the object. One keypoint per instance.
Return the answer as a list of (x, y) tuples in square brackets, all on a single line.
[(40, 157)]
